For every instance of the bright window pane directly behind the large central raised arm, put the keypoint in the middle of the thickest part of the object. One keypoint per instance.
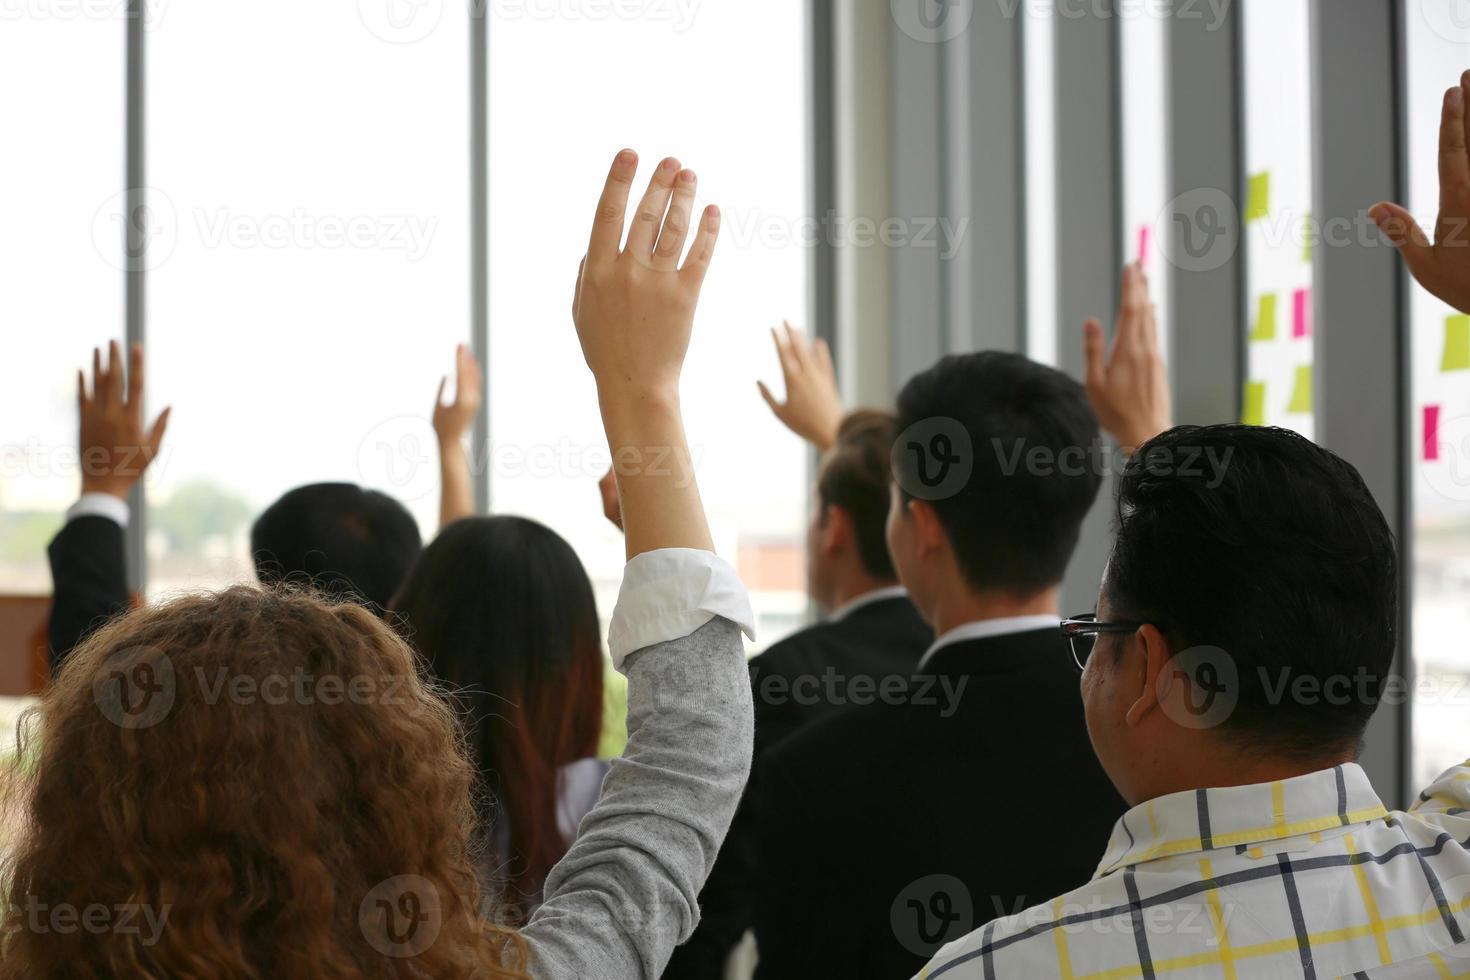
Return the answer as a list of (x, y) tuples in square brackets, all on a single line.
[(684, 86)]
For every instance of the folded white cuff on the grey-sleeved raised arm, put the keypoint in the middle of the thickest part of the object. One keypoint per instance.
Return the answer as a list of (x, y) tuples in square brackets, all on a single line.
[(670, 594)]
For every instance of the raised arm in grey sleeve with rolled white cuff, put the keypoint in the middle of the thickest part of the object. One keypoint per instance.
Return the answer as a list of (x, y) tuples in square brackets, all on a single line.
[(627, 893)]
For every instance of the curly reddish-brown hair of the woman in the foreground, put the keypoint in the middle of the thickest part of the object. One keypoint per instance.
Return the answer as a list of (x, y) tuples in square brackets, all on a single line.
[(264, 787)]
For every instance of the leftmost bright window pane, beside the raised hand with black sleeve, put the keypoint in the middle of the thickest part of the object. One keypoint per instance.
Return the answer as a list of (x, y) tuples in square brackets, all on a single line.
[(61, 258)]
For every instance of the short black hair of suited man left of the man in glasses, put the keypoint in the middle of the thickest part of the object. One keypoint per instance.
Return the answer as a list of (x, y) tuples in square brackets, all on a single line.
[(1015, 522)]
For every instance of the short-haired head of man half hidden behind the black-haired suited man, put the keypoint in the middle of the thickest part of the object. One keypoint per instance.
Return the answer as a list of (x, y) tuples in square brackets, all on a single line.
[(855, 475)]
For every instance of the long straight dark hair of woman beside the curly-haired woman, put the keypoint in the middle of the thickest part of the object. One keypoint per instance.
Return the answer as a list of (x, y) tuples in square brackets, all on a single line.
[(503, 615)]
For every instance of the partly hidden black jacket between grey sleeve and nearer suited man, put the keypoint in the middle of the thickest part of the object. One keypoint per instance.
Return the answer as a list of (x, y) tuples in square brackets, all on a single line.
[(812, 675)]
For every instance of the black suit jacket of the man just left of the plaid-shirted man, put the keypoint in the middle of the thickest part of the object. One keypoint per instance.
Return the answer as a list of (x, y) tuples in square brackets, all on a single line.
[(886, 832)]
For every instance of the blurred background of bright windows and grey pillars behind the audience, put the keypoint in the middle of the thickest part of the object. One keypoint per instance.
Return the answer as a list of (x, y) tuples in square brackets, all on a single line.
[(302, 209)]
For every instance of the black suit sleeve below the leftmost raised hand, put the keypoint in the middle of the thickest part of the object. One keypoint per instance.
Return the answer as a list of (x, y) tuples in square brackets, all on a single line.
[(89, 583)]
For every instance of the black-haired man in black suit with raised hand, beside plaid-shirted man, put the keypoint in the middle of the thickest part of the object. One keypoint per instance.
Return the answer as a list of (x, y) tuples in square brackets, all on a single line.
[(886, 829)]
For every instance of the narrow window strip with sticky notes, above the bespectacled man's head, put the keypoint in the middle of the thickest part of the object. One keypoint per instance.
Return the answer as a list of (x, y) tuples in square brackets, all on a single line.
[(1277, 214)]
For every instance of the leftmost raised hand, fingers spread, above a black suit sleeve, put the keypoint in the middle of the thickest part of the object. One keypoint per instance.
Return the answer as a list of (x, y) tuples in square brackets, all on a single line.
[(115, 446)]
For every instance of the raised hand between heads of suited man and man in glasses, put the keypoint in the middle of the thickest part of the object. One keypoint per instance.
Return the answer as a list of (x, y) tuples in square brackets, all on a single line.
[(1130, 389)]
